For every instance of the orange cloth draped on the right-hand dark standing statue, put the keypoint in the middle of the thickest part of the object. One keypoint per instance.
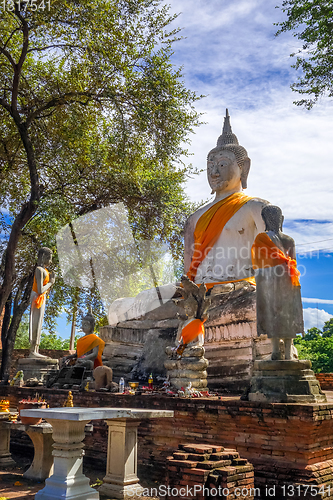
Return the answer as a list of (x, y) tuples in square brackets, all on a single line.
[(266, 254)]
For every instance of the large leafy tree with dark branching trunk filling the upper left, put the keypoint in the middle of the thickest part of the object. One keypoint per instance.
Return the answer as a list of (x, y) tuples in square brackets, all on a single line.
[(92, 112)]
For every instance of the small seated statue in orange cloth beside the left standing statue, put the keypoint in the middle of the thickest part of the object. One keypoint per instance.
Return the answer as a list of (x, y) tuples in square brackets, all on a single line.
[(89, 348)]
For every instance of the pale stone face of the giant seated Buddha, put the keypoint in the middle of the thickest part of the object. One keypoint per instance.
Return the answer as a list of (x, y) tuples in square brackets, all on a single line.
[(223, 171)]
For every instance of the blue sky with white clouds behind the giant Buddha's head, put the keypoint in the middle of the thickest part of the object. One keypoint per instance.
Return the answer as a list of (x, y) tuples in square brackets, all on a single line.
[(230, 54)]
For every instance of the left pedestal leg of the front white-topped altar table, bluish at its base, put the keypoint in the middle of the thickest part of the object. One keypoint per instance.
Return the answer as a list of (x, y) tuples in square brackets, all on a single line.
[(67, 482)]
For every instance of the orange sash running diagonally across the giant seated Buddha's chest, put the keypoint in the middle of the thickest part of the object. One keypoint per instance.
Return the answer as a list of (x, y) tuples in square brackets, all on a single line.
[(210, 225)]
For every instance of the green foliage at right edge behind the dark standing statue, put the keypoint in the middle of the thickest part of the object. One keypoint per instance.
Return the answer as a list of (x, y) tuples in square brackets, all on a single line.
[(317, 346)]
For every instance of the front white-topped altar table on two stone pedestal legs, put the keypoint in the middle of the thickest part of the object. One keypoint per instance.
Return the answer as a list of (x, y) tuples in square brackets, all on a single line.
[(68, 481)]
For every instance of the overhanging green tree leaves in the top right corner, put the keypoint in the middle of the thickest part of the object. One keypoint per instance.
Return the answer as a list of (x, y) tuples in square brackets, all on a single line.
[(312, 23)]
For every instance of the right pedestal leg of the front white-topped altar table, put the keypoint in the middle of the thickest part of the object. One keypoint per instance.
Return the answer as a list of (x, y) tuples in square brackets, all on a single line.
[(121, 479)]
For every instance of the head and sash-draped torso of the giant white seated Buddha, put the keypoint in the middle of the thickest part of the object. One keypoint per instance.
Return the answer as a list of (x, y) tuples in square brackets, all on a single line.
[(219, 236)]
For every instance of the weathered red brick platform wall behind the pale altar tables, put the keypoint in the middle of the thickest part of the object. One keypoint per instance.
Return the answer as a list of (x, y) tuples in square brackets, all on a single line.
[(286, 443)]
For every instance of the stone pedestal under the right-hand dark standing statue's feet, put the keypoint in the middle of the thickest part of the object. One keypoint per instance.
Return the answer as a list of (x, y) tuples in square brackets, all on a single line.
[(285, 381)]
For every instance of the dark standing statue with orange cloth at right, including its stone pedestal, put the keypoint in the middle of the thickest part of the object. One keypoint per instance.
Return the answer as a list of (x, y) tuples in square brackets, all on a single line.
[(280, 379)]
